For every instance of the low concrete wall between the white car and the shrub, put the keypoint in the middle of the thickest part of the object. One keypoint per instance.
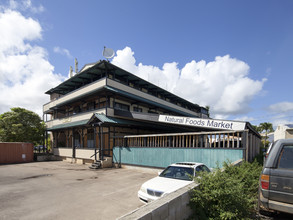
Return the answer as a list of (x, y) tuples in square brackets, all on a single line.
[(172, 206)]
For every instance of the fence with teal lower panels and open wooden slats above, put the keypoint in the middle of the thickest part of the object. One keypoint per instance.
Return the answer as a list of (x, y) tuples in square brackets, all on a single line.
[(160, 150)]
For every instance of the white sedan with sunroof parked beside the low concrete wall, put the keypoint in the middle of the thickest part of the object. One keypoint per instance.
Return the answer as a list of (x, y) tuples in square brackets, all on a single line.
[(172, 178)]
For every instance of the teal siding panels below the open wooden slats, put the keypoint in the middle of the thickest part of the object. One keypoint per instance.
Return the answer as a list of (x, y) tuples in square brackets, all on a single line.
[(162, 157)]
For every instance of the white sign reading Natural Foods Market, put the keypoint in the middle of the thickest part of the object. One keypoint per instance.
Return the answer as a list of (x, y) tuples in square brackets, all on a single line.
[(205, 123)]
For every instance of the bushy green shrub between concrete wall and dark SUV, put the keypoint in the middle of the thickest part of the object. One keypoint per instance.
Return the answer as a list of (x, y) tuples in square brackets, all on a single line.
[(228, 194)]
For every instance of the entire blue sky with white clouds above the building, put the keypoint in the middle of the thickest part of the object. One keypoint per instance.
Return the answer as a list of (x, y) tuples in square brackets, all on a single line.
[(235, 56)]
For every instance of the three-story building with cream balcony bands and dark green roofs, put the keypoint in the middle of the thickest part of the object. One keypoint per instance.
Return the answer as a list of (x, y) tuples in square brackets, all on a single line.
[(101, 102)]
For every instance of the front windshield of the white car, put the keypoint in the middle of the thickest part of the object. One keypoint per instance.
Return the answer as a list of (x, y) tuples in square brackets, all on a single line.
[(182, 173)]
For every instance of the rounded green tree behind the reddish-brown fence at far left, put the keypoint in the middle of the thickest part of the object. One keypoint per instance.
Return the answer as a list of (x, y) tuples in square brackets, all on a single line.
[(21, 125)]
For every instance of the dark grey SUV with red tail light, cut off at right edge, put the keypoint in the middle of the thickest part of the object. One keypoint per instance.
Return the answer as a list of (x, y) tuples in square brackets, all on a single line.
[(276, 180)]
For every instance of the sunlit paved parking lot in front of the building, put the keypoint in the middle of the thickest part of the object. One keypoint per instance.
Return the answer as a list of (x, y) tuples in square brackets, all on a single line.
[(61, 190)]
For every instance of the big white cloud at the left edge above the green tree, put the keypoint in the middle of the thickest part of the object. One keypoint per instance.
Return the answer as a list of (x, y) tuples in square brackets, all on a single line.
[(25, 72)]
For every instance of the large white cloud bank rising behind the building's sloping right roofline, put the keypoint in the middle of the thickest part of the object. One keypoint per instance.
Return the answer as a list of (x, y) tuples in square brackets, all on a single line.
[(223, 84)]
